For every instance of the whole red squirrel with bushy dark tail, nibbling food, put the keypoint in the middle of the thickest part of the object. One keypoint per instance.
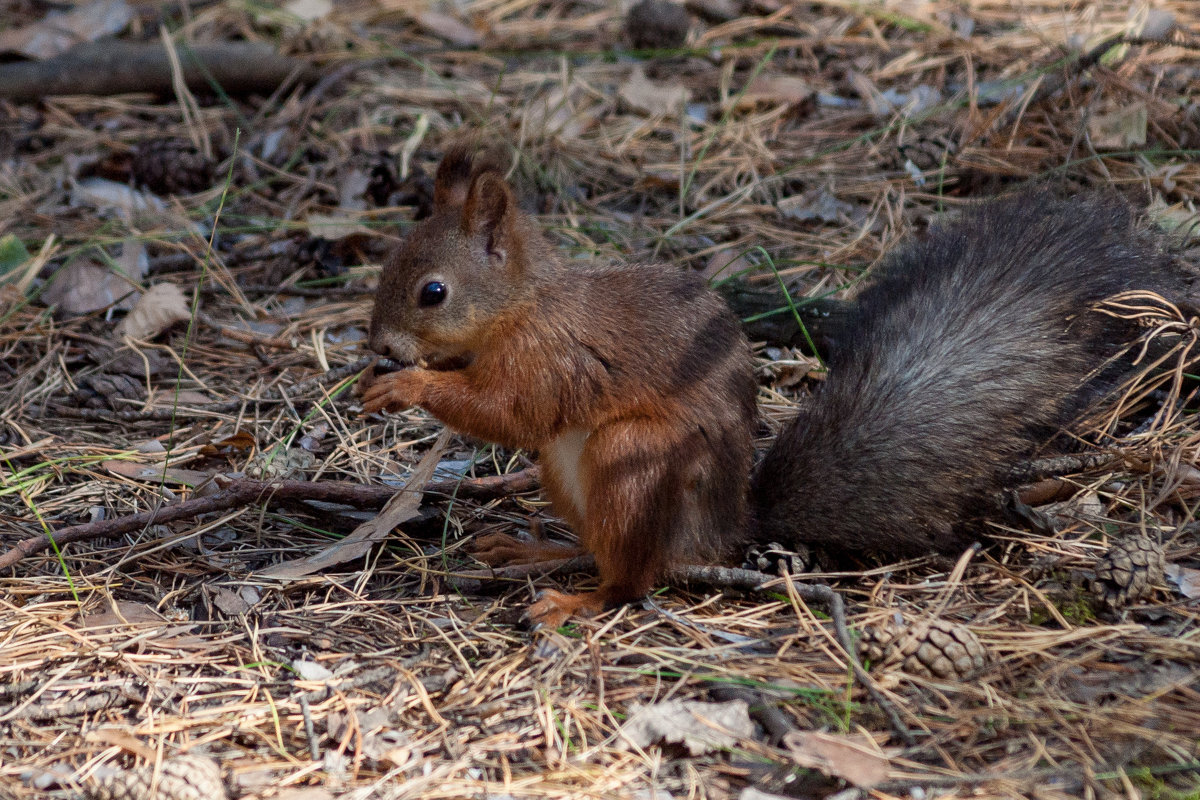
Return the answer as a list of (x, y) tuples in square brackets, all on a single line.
[(634, 383)]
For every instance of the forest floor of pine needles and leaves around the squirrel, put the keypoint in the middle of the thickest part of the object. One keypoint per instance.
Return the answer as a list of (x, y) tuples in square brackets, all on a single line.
[(187, 274)]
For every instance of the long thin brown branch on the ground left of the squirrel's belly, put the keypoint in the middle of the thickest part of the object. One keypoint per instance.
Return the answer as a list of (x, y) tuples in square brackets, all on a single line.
[(247, 492)]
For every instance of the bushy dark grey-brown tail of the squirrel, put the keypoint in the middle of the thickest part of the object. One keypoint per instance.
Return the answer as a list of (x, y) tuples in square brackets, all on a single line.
[(973, 346)]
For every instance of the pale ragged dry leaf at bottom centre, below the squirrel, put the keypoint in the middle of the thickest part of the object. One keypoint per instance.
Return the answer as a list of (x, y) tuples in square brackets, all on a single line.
[(700, 727)]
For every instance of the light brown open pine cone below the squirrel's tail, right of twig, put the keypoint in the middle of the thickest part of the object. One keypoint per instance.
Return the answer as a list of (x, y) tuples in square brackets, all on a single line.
[(934, 649)]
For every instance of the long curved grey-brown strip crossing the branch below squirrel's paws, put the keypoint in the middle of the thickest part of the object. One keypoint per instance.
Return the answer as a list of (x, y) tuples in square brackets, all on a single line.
[(403, 507)]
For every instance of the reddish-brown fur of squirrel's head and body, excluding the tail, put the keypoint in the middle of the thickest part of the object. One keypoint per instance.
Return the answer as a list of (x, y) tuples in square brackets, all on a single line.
[(640, 365)]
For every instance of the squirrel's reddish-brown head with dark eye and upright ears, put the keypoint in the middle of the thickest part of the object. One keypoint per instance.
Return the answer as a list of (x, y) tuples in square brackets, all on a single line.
[(458, 272)]
